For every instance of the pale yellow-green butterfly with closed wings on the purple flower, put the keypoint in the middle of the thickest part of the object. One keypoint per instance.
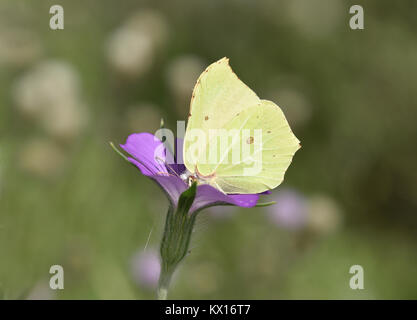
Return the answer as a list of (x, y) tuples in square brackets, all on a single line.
[(235, 141)]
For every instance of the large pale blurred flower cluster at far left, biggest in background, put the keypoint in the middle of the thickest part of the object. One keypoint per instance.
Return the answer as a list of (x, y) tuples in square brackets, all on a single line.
[(50, 94)]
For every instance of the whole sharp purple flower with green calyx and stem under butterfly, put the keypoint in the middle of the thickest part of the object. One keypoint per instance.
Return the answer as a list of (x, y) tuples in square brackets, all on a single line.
[(150, 156)]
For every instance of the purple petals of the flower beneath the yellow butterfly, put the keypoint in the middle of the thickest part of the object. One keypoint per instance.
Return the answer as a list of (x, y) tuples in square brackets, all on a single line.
[(149, 154)]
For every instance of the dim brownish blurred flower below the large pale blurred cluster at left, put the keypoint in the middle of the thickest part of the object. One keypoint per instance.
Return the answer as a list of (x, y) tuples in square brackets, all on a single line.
[(41, 157)]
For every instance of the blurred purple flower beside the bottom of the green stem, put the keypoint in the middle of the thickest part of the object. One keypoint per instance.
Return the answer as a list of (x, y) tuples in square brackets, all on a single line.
[(145, 268)]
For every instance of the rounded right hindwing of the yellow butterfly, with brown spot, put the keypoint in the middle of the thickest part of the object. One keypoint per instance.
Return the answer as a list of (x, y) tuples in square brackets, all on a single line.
[(267, 146)]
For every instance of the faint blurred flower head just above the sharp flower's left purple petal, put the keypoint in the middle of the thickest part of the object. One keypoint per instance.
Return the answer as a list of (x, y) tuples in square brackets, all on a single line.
[(143, 117)]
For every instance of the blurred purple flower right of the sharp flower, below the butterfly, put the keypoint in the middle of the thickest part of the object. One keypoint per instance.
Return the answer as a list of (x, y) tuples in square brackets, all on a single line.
[(290, 210)]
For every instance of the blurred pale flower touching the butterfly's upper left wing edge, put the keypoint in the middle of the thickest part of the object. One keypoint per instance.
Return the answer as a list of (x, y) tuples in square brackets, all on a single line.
[(182, 75)]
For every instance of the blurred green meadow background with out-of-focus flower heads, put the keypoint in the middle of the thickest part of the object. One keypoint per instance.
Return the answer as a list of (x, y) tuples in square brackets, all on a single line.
[(119, 66)]
